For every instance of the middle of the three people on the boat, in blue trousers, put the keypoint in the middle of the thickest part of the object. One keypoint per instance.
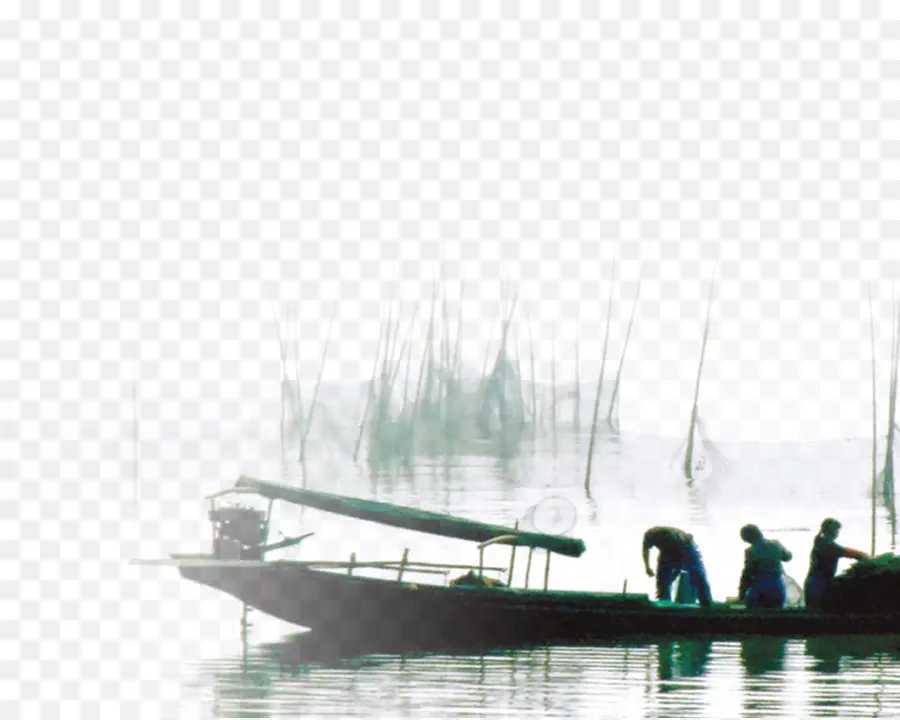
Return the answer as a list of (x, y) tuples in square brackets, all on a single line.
[(762, 580)]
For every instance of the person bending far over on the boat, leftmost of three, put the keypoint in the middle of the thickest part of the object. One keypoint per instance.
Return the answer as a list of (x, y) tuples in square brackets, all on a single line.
[(677, 553)]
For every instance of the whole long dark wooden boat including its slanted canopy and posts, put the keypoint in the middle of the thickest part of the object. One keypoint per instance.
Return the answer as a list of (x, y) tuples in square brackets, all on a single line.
[(390, 614)]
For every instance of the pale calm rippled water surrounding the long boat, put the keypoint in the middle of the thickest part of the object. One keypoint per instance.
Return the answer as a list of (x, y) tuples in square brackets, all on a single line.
[(139, 642)]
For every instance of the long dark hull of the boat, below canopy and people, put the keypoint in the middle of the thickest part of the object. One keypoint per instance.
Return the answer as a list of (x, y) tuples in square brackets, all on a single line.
[(390, 615)]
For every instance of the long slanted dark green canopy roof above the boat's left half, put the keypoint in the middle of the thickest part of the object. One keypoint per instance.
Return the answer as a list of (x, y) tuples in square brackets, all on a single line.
[(412, 518)]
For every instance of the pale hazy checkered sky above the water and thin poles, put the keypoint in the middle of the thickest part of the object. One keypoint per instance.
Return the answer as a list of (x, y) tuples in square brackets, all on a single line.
[(174, 182)]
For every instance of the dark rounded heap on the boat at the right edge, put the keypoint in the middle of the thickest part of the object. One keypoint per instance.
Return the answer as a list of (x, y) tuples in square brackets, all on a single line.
[(868, 586)]
